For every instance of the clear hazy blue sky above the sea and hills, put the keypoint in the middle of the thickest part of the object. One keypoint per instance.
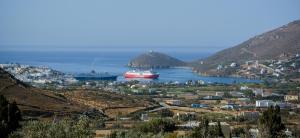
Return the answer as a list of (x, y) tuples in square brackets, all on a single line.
[(96, 24)]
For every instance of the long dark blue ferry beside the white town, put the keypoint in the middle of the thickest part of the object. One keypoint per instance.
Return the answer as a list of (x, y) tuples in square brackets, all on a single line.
[(93, 75)]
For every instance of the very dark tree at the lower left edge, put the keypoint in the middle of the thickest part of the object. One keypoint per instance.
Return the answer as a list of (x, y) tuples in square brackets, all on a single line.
[(10, 115)]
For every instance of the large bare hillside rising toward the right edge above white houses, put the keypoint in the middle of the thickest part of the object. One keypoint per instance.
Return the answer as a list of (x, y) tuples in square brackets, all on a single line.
[(278, 43)]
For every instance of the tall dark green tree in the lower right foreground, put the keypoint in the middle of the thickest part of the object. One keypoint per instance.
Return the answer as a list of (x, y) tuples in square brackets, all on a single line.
[(270, 123)]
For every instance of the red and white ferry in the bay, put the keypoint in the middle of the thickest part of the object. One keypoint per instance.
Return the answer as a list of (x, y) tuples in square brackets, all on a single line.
[(149, 74)]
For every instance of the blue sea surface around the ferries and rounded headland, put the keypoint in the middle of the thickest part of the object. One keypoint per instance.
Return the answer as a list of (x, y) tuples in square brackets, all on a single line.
[(113, 62)]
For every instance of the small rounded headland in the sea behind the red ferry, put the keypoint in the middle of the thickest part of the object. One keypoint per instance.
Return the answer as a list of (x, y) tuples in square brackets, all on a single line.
[(155, 60)]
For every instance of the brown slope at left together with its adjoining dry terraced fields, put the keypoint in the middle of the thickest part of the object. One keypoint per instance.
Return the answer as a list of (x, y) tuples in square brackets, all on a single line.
[(35, 102)]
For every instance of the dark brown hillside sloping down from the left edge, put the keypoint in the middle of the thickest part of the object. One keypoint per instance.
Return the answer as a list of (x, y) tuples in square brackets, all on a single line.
[(33, 101)]
